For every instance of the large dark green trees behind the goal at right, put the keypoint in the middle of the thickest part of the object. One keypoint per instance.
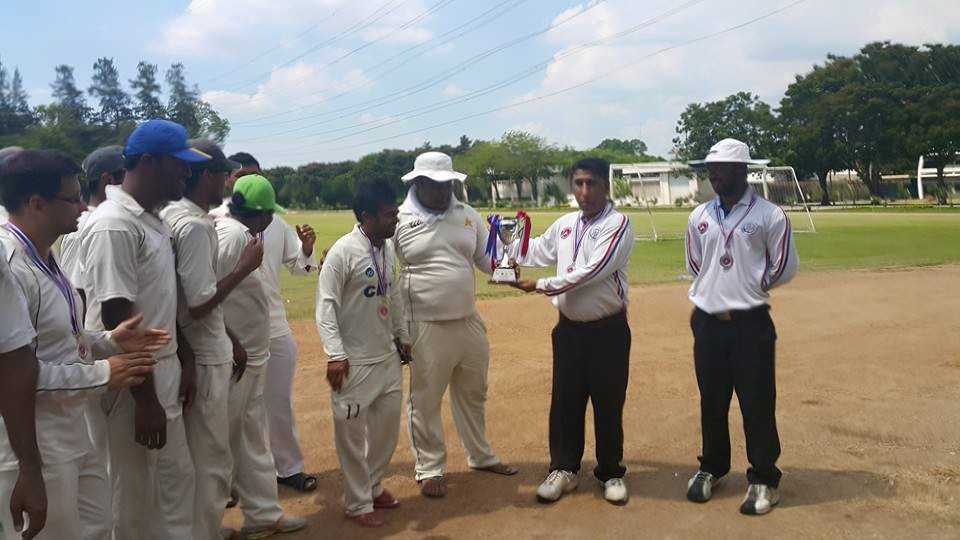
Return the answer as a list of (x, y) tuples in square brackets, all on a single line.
[(875, 112)]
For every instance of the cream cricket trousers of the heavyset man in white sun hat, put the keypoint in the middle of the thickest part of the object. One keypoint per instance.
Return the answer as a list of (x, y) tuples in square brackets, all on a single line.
[(454, 353)]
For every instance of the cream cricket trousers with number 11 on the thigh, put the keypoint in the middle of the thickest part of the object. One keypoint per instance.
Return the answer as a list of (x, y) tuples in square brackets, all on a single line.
[(366, 421)]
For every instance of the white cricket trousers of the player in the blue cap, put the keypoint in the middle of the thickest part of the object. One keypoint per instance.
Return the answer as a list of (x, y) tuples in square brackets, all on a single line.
[(153, 489)]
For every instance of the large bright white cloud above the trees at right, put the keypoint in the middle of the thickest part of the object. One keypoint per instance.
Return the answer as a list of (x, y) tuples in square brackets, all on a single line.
[(644, 97)]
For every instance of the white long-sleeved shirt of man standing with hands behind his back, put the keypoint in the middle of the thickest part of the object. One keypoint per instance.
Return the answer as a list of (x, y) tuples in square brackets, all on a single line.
[(738, 257)]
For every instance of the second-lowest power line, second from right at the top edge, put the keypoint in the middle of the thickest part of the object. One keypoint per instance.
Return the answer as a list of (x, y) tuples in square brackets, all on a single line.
[(509, 81)]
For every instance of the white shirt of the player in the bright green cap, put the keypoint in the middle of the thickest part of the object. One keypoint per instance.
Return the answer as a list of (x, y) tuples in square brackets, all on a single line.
[(246, 311)]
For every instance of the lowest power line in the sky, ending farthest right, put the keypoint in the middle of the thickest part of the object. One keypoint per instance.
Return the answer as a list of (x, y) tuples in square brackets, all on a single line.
[(549, 95)]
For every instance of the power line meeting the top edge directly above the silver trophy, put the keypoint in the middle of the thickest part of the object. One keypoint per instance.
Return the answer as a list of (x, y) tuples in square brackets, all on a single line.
[(464, 29)]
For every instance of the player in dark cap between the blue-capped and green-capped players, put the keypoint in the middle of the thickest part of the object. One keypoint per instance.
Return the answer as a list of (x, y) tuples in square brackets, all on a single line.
[(203, 334)]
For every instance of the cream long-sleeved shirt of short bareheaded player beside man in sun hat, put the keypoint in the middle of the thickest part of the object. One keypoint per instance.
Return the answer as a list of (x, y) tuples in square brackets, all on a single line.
[(354, 321)]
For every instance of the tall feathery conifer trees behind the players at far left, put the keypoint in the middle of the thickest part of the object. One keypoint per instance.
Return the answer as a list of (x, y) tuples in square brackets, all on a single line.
[(78, 126)]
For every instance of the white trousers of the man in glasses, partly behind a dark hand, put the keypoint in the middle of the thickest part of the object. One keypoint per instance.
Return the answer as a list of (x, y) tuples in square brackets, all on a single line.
[(63, 515)]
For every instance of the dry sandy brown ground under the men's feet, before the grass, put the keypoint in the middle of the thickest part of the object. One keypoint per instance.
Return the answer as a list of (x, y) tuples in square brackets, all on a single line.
[(869, 416)]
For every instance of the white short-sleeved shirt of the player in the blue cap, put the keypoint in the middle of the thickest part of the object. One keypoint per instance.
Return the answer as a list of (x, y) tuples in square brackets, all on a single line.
[(128, 253)]
